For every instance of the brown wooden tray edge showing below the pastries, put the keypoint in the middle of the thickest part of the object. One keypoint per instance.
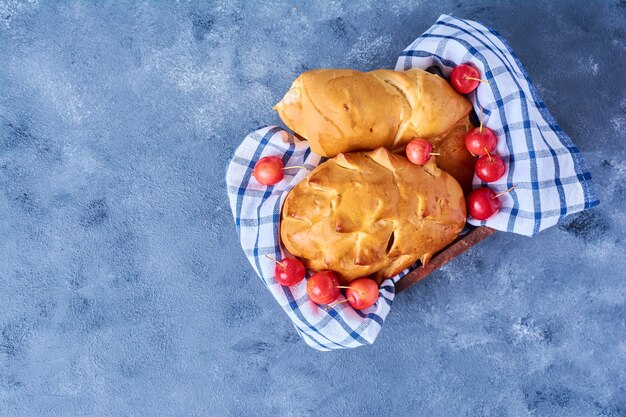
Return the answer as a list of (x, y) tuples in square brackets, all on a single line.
[(453, 250)]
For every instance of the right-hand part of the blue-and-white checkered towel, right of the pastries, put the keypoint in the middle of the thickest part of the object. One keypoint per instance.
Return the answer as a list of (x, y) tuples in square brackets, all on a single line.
[(542, 162)]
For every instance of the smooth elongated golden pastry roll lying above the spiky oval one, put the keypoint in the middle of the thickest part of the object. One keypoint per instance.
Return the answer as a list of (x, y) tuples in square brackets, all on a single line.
[(342, 110)]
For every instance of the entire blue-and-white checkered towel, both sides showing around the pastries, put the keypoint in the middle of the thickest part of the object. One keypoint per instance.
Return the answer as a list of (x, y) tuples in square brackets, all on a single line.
[(542, 161)]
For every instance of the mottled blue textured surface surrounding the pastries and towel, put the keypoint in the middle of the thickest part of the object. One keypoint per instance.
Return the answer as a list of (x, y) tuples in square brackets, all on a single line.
[(123, 290)]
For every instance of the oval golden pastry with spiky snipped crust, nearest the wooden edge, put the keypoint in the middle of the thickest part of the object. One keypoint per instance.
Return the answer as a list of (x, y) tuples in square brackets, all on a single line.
[(371, 213)]
